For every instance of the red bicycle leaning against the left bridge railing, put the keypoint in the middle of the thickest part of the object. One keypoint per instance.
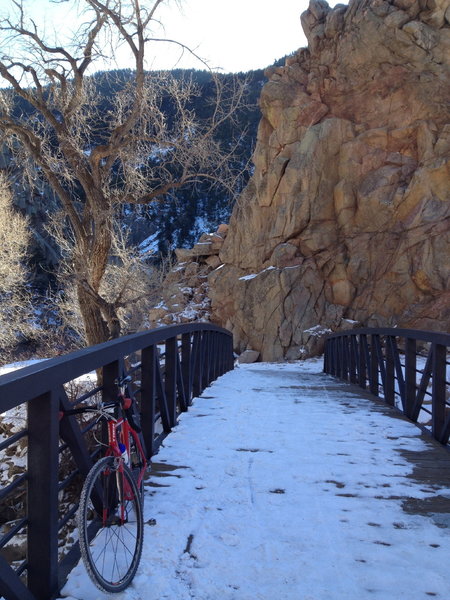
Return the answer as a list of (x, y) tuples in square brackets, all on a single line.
[(110, 516)]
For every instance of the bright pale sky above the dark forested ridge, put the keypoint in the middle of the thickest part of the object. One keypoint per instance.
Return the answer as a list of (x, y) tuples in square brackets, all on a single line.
[(235, 35)]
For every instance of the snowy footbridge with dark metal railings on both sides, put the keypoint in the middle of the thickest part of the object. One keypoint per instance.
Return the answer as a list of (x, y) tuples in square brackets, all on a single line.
[(342, 424)]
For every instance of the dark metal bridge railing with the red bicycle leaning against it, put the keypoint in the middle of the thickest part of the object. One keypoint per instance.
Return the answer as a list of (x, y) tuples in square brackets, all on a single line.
[(50, 458)]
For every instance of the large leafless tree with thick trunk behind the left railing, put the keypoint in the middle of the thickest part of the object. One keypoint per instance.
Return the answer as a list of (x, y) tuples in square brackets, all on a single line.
[(96, 162)]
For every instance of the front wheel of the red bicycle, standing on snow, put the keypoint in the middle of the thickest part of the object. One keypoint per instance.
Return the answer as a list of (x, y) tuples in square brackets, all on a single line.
[(110, 524)]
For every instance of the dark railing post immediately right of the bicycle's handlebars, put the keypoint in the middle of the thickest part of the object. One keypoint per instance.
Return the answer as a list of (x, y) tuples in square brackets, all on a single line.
[(148, 396)]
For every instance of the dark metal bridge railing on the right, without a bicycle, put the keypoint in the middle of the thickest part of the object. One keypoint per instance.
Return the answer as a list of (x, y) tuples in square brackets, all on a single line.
[(408, 368)]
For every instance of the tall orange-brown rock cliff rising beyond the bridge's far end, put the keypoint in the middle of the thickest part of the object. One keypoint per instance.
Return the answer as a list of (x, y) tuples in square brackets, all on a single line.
[(346, 218)]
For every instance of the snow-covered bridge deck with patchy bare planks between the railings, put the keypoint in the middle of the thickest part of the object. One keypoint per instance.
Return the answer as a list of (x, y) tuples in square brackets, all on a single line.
[(278, 485)]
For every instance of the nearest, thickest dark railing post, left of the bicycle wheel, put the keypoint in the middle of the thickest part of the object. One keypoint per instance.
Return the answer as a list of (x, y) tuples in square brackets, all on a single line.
[(43, 426)]
